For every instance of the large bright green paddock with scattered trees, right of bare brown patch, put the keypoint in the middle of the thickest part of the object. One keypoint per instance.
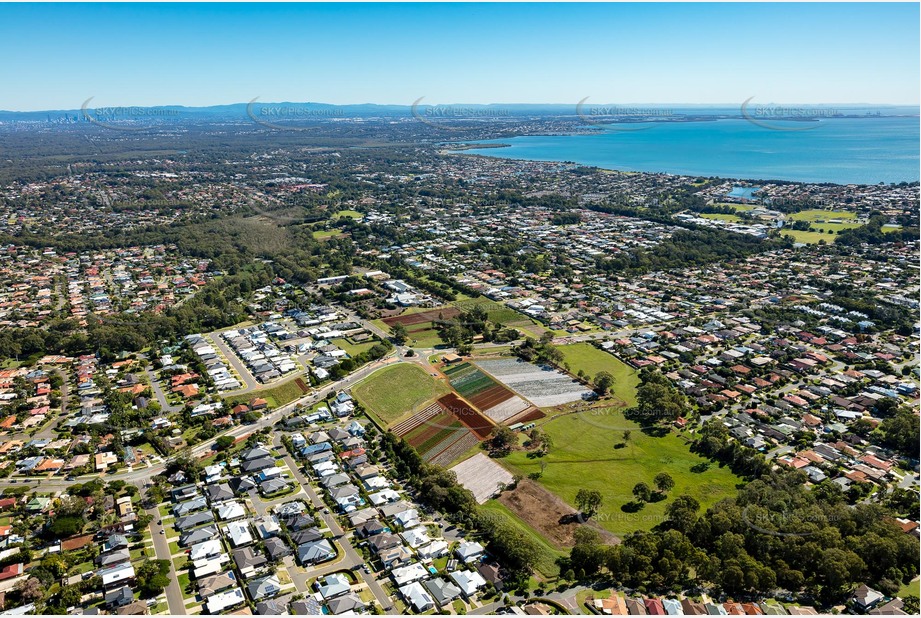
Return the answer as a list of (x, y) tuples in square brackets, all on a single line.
[(583, 457)]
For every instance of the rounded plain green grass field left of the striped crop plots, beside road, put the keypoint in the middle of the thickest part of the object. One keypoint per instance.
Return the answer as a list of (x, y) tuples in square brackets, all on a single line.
[(394, 391)]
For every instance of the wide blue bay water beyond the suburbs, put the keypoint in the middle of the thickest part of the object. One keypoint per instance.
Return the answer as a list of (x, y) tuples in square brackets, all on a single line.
[(835, 150)]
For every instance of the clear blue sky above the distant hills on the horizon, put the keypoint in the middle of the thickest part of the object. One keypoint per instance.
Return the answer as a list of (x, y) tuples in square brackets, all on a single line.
[(57, 56)]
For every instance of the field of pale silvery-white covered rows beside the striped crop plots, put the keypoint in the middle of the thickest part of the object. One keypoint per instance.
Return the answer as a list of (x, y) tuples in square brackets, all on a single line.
[(542, 386)]
